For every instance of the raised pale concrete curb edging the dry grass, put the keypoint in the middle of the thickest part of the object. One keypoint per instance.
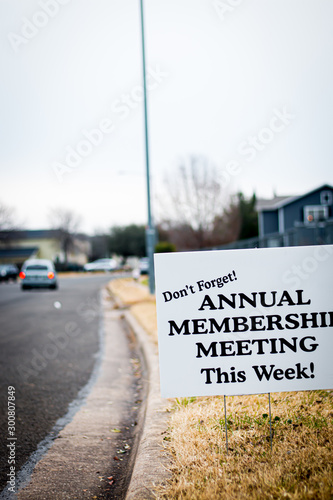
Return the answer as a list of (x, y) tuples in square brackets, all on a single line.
[(152, 463)]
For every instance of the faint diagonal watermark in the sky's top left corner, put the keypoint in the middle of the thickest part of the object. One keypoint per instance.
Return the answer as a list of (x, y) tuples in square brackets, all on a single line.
[(30, 28)]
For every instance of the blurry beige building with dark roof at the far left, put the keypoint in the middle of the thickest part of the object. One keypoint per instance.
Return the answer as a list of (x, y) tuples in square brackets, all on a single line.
[(19, 245)]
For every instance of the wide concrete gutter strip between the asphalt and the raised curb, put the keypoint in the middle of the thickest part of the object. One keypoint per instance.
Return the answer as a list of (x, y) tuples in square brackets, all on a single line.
[(78, 464)]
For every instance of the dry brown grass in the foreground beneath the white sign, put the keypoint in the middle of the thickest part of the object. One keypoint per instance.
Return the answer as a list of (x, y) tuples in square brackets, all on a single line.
[(299, 467)]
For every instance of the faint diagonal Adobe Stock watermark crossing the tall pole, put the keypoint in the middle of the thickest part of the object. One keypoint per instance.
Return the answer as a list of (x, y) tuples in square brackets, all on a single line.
[(91, 139)]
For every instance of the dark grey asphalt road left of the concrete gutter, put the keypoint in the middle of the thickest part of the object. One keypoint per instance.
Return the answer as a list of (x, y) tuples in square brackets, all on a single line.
[(49, 344)]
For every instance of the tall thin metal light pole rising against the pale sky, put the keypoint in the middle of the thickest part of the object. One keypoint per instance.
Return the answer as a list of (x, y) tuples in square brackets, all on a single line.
[(150, 230)]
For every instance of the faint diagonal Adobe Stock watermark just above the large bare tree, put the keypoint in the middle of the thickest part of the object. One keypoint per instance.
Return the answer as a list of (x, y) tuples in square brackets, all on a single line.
[(255, 144)]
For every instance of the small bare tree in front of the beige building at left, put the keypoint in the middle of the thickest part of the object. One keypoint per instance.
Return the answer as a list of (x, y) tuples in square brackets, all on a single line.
[(67, 223)]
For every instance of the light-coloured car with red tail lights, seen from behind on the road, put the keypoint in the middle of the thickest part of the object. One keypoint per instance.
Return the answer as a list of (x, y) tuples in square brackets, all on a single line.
[(38, 273)]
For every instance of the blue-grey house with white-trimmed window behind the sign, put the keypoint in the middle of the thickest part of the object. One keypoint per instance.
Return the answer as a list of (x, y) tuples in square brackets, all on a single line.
[(283, 213)]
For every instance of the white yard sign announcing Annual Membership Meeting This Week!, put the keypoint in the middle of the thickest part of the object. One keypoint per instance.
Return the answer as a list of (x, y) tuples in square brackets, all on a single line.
[(245, 321)]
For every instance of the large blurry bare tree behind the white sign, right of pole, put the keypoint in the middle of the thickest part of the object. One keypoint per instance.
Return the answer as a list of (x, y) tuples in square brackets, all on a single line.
[(194, 200)]
